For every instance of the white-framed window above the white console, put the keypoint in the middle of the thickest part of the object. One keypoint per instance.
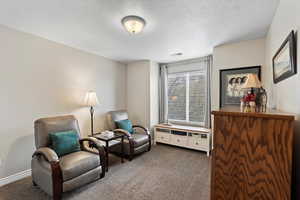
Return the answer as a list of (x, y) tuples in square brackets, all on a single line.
[(187, 97)]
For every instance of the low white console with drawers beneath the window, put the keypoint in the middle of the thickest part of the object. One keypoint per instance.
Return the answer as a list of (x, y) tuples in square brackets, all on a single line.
[(196, 138)]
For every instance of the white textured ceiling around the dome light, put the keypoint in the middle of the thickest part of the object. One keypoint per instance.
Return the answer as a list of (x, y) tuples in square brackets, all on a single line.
[(192, 27)]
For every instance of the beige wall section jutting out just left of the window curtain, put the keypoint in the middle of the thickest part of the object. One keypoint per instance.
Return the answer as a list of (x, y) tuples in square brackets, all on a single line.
[(142, 92)]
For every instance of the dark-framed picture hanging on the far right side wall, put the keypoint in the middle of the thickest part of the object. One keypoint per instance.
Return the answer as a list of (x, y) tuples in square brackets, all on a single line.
[(284, 61)]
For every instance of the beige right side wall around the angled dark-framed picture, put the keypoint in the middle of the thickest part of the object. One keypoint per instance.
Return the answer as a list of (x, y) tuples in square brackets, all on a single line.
[(286, 94)]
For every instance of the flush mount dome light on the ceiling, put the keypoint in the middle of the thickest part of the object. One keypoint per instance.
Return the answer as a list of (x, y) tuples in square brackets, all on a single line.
[(133, 24)]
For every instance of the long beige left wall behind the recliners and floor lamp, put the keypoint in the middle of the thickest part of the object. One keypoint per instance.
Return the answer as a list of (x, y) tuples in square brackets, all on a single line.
[(40, 78)]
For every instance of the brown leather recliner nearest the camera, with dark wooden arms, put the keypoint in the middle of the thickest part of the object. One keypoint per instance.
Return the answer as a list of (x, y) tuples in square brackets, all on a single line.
[(55, 174)]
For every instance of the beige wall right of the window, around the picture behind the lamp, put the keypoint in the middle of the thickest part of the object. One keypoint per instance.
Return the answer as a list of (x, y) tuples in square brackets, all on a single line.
[(242, 54)]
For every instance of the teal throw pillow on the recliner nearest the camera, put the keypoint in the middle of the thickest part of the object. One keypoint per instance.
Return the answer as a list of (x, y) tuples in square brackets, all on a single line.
[(65, 142)]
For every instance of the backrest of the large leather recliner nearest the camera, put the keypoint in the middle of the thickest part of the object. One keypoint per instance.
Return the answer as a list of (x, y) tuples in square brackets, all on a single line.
[(44, 126)]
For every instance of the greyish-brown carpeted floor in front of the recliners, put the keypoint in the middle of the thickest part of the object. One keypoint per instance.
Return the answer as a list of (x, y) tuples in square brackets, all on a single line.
[(164, 173)]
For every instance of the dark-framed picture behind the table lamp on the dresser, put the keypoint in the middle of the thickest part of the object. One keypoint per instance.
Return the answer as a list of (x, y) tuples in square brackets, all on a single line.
[(231, 82)]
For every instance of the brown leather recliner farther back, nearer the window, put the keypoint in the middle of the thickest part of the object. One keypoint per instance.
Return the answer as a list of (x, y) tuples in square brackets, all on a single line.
[(137, 142)]
